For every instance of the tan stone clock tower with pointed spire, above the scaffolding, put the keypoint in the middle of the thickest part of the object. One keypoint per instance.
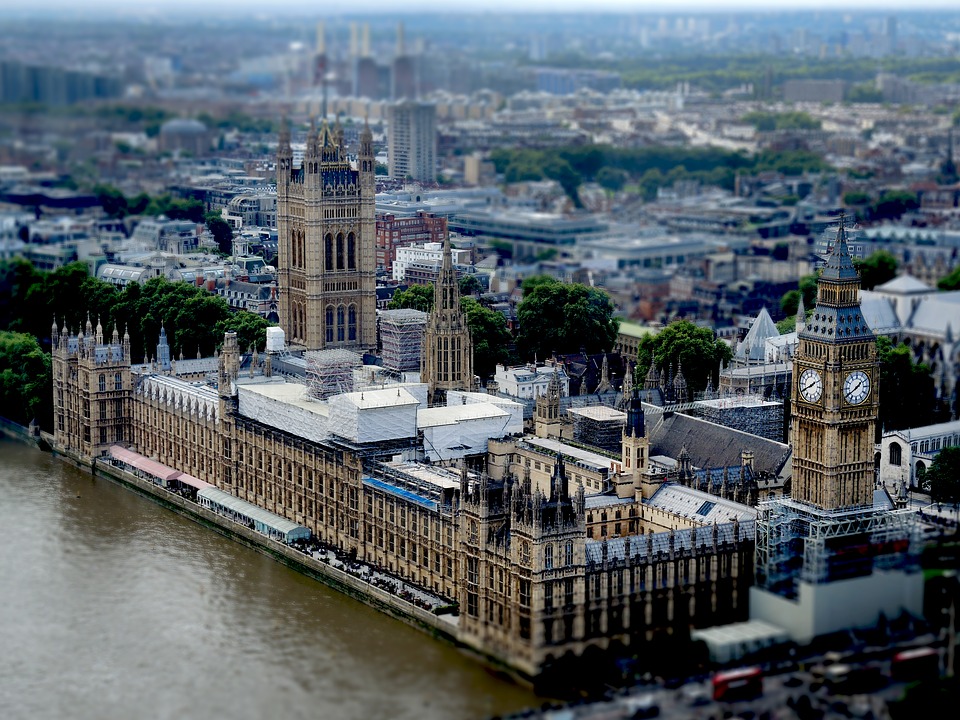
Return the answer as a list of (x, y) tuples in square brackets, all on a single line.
[(834, 401)]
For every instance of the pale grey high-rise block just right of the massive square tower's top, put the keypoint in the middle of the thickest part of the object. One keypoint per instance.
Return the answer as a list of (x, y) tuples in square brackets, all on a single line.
[(412, 141)]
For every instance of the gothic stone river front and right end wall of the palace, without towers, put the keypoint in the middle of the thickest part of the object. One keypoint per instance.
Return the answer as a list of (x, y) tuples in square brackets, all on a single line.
[(532, 587)]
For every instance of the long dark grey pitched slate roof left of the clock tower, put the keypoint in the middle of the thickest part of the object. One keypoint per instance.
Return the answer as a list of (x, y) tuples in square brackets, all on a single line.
[(712, 445)]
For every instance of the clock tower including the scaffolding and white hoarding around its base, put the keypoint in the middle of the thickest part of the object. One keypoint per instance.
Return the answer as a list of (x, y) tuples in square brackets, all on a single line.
[(835, 555)]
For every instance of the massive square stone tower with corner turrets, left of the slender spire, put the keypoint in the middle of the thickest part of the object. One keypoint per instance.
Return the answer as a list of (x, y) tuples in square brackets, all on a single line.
[(326, 243)]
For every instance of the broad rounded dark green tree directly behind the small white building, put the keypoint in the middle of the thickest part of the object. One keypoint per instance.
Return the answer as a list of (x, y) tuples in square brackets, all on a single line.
[(561, 317)]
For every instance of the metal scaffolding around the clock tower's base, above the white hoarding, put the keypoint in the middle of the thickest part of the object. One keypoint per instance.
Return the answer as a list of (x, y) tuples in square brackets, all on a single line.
[(798, 542)]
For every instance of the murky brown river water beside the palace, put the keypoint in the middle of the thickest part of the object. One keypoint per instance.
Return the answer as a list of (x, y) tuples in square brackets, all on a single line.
[(112, 607)]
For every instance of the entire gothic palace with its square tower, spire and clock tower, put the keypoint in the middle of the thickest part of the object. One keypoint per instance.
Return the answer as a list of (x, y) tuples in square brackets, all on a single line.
[(438, 485)]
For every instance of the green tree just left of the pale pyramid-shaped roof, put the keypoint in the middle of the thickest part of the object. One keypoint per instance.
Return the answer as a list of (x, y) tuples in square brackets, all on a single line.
[(685, 346)]
